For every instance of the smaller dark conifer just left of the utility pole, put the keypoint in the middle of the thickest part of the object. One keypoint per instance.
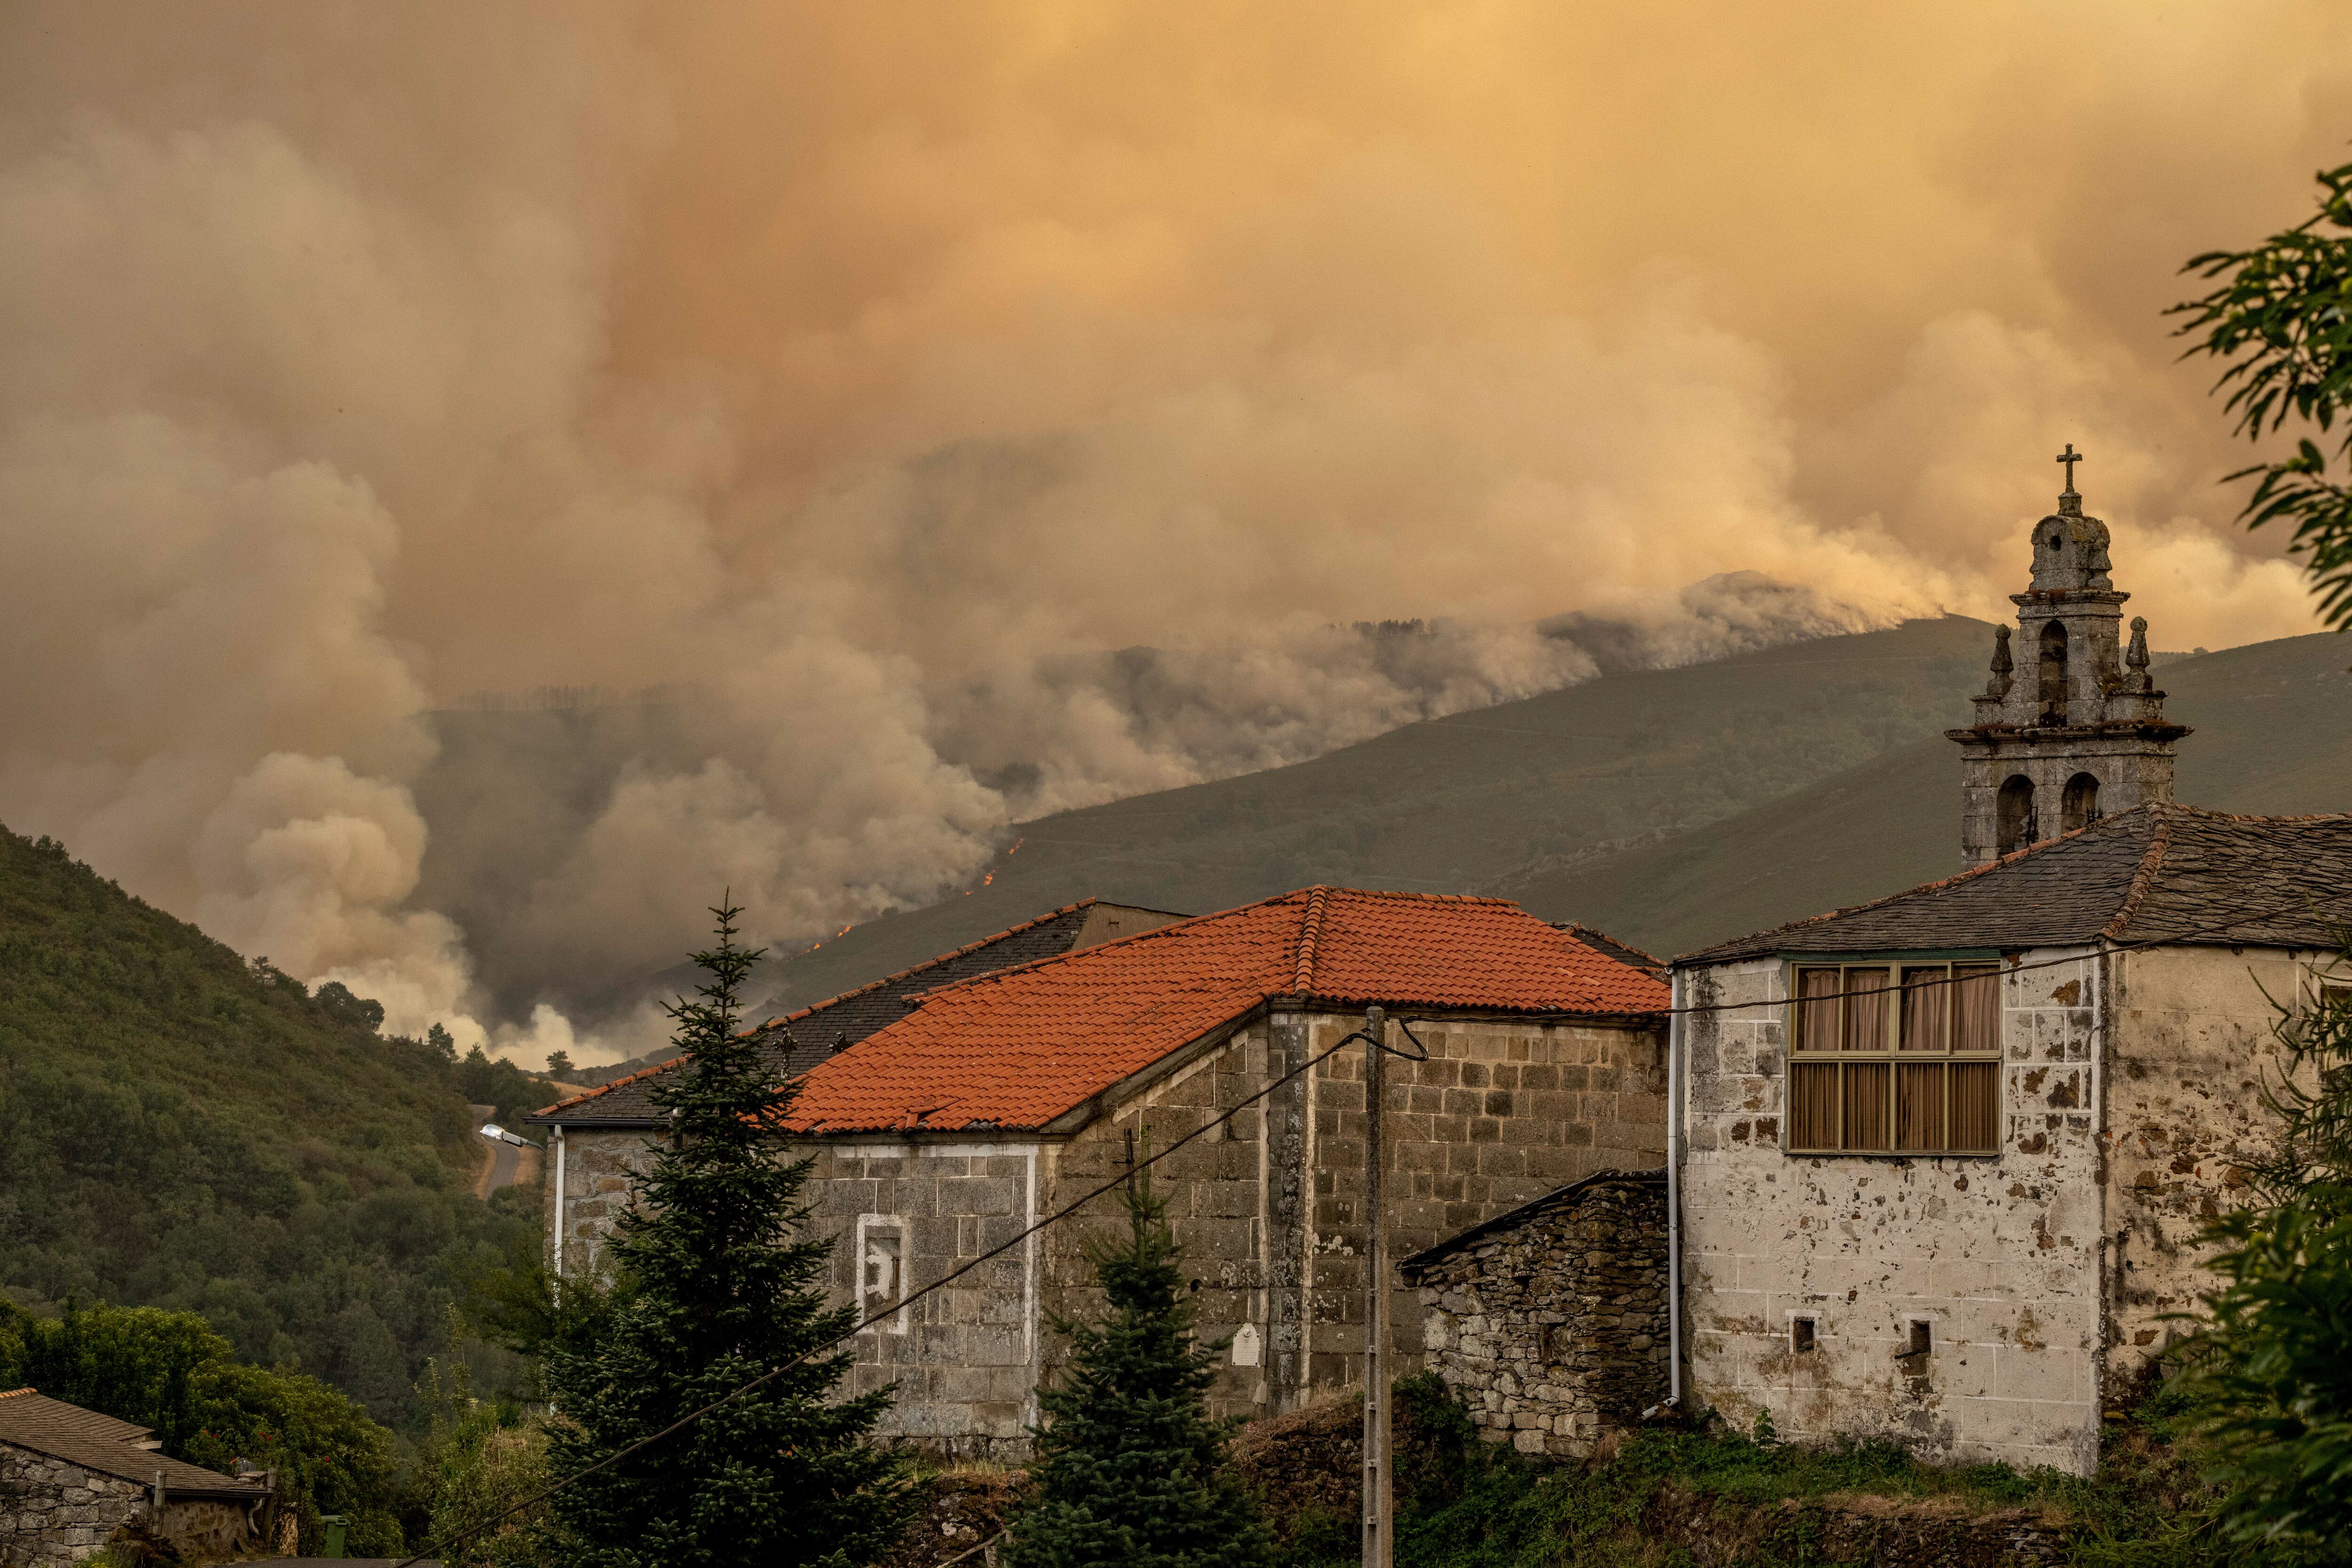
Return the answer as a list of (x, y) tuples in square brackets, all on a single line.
[(1130, 1470)]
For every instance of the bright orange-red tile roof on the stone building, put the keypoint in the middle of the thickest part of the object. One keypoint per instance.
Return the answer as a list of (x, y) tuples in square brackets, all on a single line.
[(1027, 1045)]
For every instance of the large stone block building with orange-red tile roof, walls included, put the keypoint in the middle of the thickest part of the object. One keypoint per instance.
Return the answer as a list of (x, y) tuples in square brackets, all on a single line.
[(996, 1099)]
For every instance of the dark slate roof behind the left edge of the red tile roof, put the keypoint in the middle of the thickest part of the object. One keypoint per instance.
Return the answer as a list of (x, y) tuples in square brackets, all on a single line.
[(806, 1038)]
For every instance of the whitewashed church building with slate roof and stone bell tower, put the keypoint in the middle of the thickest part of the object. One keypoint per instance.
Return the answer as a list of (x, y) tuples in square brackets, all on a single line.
[(1942, 1158)]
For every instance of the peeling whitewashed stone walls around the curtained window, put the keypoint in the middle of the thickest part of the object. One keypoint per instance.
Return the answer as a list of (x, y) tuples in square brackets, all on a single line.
[(2045, 1271)]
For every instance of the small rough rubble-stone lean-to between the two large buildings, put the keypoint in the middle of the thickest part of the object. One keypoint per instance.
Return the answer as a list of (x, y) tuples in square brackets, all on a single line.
[(1549, 1322)]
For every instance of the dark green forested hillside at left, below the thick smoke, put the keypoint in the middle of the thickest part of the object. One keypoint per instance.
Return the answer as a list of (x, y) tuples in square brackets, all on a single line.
[(185, 1130)]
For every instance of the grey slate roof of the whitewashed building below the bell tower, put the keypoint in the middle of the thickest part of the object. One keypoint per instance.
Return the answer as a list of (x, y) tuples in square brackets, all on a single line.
[(2146, 876)]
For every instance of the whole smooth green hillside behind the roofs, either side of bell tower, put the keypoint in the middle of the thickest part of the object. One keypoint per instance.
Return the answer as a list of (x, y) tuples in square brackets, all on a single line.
[(1669, 808)]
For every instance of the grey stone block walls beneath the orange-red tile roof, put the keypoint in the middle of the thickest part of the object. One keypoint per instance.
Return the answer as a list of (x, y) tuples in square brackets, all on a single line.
[(1269, 1207)]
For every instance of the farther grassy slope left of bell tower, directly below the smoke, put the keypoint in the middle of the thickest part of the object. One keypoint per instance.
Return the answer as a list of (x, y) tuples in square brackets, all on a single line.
[(1455, 805)]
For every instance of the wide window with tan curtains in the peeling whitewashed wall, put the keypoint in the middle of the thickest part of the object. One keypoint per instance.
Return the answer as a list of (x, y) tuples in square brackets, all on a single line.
[(1895, 1059)]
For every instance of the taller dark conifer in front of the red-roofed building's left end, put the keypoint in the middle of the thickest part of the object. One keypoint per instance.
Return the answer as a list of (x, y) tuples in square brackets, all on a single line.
[(716, 1282)]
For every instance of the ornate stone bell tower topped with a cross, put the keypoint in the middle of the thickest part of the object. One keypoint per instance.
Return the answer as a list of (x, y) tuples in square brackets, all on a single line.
[(2066, 730)]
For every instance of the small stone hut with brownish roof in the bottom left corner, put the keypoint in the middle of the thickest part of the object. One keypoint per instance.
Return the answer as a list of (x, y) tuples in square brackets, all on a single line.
[(72, 1480)]
